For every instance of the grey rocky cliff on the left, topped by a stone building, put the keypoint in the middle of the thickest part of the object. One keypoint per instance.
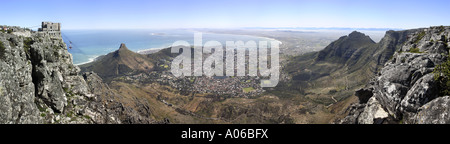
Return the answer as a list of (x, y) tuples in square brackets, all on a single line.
[(40, 84)]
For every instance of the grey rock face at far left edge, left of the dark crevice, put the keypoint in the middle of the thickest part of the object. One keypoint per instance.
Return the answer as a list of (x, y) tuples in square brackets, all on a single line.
[(16, 86)]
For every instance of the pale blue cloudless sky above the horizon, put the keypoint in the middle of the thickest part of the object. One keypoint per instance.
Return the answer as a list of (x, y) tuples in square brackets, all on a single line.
[(163, 14)]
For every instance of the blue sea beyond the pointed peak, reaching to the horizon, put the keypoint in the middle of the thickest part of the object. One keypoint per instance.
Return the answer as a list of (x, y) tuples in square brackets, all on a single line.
[(89, 44)]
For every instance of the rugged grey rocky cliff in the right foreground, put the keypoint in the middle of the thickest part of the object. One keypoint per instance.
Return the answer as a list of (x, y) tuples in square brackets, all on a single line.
[(406, 90)]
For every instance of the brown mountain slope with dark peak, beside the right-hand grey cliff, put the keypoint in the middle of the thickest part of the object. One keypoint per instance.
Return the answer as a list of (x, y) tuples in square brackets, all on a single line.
[(330, 77)]
